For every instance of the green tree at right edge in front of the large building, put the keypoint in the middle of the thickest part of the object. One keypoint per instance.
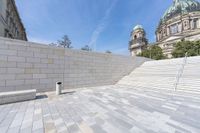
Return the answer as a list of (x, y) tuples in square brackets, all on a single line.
[(189, 47)]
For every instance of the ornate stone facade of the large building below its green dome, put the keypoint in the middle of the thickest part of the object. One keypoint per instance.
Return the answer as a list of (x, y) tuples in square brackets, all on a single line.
[(181, 27)]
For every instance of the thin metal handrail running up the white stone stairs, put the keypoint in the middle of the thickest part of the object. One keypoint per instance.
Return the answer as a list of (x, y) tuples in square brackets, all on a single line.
[(180, 72)]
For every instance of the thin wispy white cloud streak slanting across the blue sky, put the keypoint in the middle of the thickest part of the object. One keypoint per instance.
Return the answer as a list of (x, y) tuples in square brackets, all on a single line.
[(101, 26)]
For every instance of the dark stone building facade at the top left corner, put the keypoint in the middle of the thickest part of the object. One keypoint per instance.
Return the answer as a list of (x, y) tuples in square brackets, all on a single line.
[(10, 23)]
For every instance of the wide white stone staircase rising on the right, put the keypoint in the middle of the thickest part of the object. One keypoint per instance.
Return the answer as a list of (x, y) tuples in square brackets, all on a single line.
[(182, 74)]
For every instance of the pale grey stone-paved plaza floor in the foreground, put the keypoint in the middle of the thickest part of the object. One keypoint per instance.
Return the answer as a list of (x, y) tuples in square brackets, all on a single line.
[(107, 109)]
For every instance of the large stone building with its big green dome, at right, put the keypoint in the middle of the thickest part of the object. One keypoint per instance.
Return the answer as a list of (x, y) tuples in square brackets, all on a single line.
[(180, 22)]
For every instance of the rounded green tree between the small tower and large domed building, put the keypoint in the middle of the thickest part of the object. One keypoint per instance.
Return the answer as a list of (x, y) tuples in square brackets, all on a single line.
[(153, 52)]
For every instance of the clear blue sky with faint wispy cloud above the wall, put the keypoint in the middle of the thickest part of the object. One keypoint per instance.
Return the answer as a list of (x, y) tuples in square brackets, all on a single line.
[(102, 24)]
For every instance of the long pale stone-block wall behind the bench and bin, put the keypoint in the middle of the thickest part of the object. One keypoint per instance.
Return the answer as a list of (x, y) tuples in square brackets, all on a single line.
[(25, 65)]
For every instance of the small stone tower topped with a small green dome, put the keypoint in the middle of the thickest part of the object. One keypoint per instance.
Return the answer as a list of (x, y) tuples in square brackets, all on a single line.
[(138, 41)]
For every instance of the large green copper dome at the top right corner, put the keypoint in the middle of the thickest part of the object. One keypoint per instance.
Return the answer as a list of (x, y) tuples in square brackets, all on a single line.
[(181, 7)]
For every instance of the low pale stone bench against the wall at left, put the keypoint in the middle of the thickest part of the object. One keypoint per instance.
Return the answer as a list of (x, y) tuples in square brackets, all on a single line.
[(17, 96)]
